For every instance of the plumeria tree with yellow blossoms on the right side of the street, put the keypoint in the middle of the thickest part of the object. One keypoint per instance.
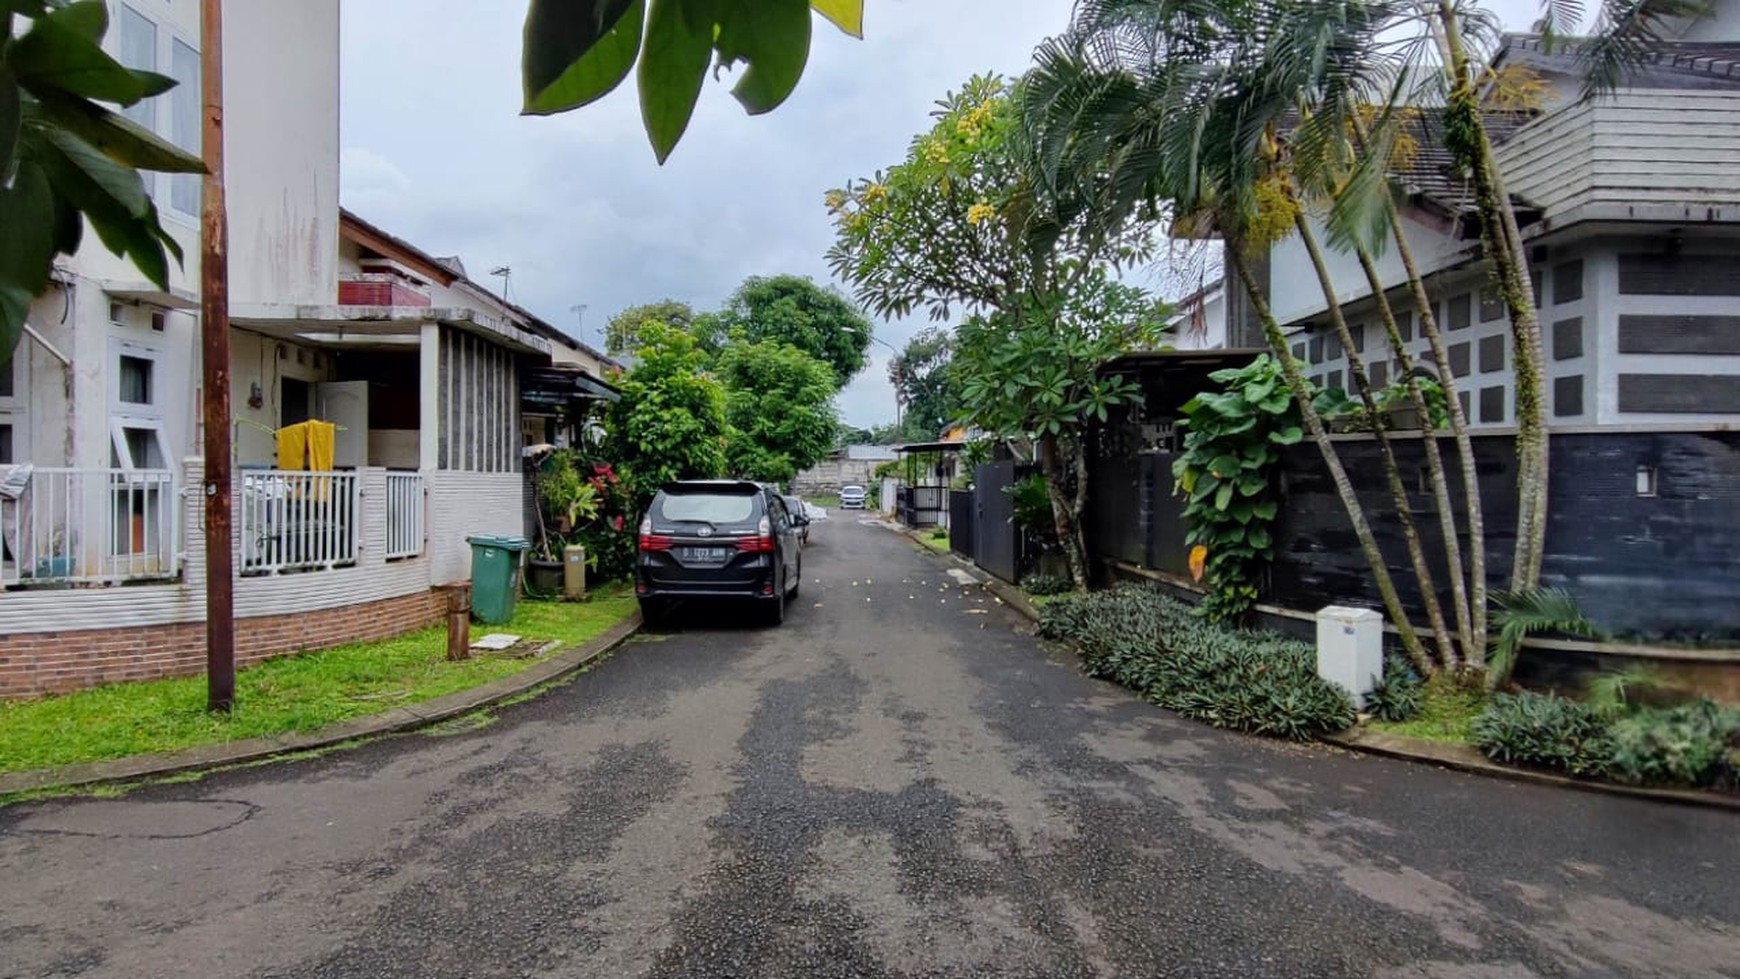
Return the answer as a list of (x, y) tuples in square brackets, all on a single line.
[(963, 225)]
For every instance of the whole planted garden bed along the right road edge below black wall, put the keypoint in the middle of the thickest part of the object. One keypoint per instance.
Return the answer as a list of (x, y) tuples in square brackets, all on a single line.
[(1264, 683)]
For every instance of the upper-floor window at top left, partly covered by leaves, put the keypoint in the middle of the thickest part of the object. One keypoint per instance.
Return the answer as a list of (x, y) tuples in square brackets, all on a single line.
[(145, 44)]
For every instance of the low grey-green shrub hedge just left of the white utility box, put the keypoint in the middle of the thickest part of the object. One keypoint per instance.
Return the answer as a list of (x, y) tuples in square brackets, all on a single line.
[(1236, 679)]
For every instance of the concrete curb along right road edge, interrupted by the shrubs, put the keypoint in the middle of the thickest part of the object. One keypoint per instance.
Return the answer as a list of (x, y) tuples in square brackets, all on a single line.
[(1459, 757)]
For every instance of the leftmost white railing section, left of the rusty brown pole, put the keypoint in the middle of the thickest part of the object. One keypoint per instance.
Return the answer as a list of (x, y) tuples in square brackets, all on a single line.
[(91, 528)]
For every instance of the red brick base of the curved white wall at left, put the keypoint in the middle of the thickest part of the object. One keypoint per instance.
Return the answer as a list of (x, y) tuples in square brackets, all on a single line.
[(57, 663)]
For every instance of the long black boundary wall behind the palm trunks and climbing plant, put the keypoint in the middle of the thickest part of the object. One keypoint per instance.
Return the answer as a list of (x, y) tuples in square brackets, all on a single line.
[(1643, 528)]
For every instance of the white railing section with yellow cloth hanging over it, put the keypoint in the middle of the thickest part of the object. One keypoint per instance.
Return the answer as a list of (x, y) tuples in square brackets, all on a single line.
[(297, 521)]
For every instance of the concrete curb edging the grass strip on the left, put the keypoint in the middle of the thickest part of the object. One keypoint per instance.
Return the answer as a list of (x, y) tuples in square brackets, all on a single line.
[(396, 721)]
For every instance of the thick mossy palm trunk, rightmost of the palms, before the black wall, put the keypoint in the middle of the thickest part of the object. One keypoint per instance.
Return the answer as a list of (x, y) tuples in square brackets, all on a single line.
[(1504, 250)]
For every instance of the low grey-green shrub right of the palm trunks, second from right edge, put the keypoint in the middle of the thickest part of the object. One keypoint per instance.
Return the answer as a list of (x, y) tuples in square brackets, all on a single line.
[(1548, 731)]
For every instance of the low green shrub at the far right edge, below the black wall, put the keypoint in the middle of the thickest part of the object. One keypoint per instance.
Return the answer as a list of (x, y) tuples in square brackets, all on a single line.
[(1692, 745)]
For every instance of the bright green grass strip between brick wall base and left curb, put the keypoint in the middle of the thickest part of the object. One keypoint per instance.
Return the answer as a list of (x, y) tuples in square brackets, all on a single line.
[(291, 695)]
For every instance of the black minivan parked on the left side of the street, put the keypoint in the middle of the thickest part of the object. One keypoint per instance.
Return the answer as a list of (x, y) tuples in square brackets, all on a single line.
[(719, 540)]
